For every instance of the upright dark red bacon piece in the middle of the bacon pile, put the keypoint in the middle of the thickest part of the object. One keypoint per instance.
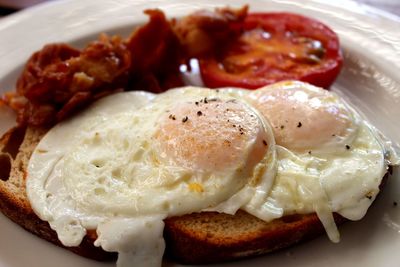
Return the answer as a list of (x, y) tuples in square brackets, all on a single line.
[(156, 56)]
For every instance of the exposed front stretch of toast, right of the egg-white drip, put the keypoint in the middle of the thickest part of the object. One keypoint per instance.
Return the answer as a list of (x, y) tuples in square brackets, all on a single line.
[(195, 239)]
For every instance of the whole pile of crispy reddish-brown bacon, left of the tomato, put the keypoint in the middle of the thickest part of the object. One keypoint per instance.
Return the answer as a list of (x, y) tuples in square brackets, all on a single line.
[(59, 79)]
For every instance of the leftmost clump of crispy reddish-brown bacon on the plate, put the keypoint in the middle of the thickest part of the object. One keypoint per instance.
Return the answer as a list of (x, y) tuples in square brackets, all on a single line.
[(59, 79)]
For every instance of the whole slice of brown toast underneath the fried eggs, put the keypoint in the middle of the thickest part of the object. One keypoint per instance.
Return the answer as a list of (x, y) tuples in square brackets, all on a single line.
[(197, 238)]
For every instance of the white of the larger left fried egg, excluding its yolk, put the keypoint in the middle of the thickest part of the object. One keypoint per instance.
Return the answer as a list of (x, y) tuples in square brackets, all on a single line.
[(108, 173)]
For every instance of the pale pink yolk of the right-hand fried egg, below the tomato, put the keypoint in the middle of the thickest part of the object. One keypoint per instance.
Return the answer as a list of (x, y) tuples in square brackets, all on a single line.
[(303, 118)]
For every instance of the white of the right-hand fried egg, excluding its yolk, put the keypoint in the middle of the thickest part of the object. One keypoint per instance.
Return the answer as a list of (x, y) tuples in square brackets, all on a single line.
[(342, 175)]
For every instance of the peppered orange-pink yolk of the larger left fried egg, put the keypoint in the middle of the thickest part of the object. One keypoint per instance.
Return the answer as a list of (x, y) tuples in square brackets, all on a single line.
[(212, 135)]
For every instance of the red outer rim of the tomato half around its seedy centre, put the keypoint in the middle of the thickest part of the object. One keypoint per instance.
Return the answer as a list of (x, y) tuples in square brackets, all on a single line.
[(322, 74)]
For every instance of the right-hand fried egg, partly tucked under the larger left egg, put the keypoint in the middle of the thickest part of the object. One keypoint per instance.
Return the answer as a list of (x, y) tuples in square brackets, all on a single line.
[(329, 158)]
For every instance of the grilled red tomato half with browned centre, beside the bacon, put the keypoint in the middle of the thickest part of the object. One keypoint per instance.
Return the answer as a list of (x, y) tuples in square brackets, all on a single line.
[(275, 47)]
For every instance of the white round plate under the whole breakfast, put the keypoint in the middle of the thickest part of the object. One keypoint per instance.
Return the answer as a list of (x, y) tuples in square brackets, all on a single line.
[(371, 44)]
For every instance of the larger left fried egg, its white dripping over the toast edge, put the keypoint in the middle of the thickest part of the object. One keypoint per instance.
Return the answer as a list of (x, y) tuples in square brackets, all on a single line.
[(125, 171)]
